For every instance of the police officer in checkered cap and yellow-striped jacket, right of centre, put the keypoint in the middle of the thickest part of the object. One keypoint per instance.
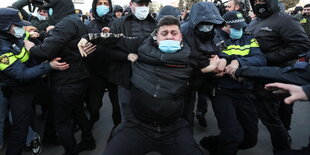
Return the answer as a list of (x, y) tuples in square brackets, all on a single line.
[(233, 102)]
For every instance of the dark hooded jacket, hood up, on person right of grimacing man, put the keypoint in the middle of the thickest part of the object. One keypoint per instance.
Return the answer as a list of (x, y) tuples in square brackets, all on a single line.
[(202, 12)]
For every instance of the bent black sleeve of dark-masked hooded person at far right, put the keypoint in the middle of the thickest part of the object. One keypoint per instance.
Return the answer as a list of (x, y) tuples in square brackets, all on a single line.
[(295, 42)]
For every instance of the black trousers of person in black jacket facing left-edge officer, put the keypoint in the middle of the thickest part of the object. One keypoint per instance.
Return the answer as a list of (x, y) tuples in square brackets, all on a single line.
[(67, 101)]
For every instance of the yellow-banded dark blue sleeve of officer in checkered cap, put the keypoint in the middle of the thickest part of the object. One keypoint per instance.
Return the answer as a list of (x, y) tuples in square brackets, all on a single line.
[(255, 57)]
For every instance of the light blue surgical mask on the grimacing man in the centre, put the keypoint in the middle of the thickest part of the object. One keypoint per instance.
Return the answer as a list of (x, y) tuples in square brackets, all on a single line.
[(169, 46)]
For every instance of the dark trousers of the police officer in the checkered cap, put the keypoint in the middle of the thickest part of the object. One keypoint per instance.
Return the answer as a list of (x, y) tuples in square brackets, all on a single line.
[(237, 118)]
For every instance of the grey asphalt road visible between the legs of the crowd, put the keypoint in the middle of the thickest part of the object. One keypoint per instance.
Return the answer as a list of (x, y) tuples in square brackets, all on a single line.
[(300, 132)]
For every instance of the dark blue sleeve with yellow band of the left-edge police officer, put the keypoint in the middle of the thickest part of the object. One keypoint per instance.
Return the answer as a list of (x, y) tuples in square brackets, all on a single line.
[(14, 68)]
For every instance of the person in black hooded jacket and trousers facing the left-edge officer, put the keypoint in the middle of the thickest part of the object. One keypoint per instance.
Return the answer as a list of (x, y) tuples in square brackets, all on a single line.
[(68, 87)]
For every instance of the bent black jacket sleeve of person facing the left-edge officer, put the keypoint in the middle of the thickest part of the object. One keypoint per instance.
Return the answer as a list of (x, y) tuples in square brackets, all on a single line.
[(54, 43)]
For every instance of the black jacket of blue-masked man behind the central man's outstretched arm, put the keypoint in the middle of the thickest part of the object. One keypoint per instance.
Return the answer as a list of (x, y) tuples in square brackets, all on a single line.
[(97, 62)]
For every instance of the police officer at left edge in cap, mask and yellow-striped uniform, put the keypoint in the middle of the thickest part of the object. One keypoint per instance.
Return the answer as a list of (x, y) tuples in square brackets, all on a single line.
[(20, 74)]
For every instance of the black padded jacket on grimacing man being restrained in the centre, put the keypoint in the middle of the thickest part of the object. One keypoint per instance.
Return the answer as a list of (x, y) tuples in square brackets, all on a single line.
[(162, 76)]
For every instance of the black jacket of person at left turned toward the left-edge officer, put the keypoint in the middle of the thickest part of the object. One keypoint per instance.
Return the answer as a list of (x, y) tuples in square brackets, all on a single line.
[(62, 42)]
